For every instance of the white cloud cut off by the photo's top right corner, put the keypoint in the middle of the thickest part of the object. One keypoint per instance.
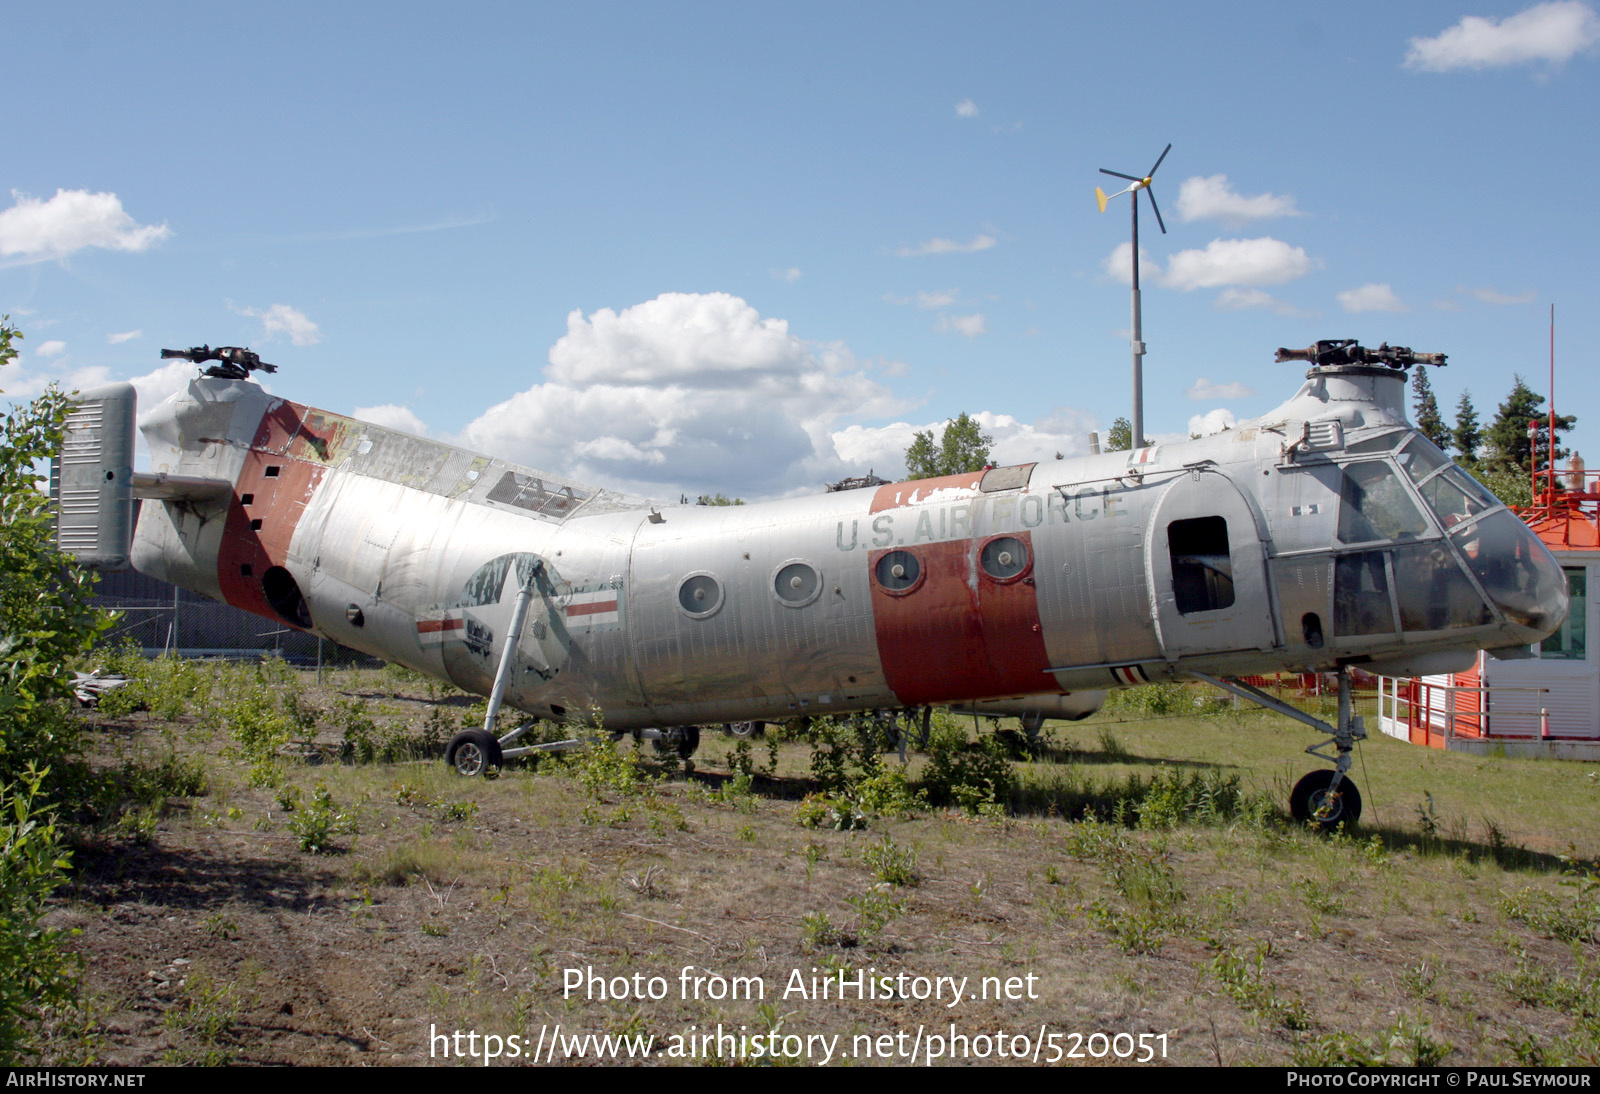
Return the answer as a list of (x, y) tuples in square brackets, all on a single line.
[(1550, 33)]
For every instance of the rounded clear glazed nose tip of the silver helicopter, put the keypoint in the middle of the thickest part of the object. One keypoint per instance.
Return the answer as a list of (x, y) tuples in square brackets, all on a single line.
[(1519, 575)]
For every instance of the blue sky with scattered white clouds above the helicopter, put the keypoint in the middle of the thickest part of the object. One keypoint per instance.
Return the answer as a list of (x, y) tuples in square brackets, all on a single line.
[(750, 249)]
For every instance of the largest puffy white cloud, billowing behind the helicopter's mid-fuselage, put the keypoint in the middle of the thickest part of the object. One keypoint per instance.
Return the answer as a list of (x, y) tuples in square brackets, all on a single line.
[(690, 393)]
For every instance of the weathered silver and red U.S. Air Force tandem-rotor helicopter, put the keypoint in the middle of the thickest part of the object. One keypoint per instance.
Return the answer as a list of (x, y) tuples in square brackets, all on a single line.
[(1322, 537)]
